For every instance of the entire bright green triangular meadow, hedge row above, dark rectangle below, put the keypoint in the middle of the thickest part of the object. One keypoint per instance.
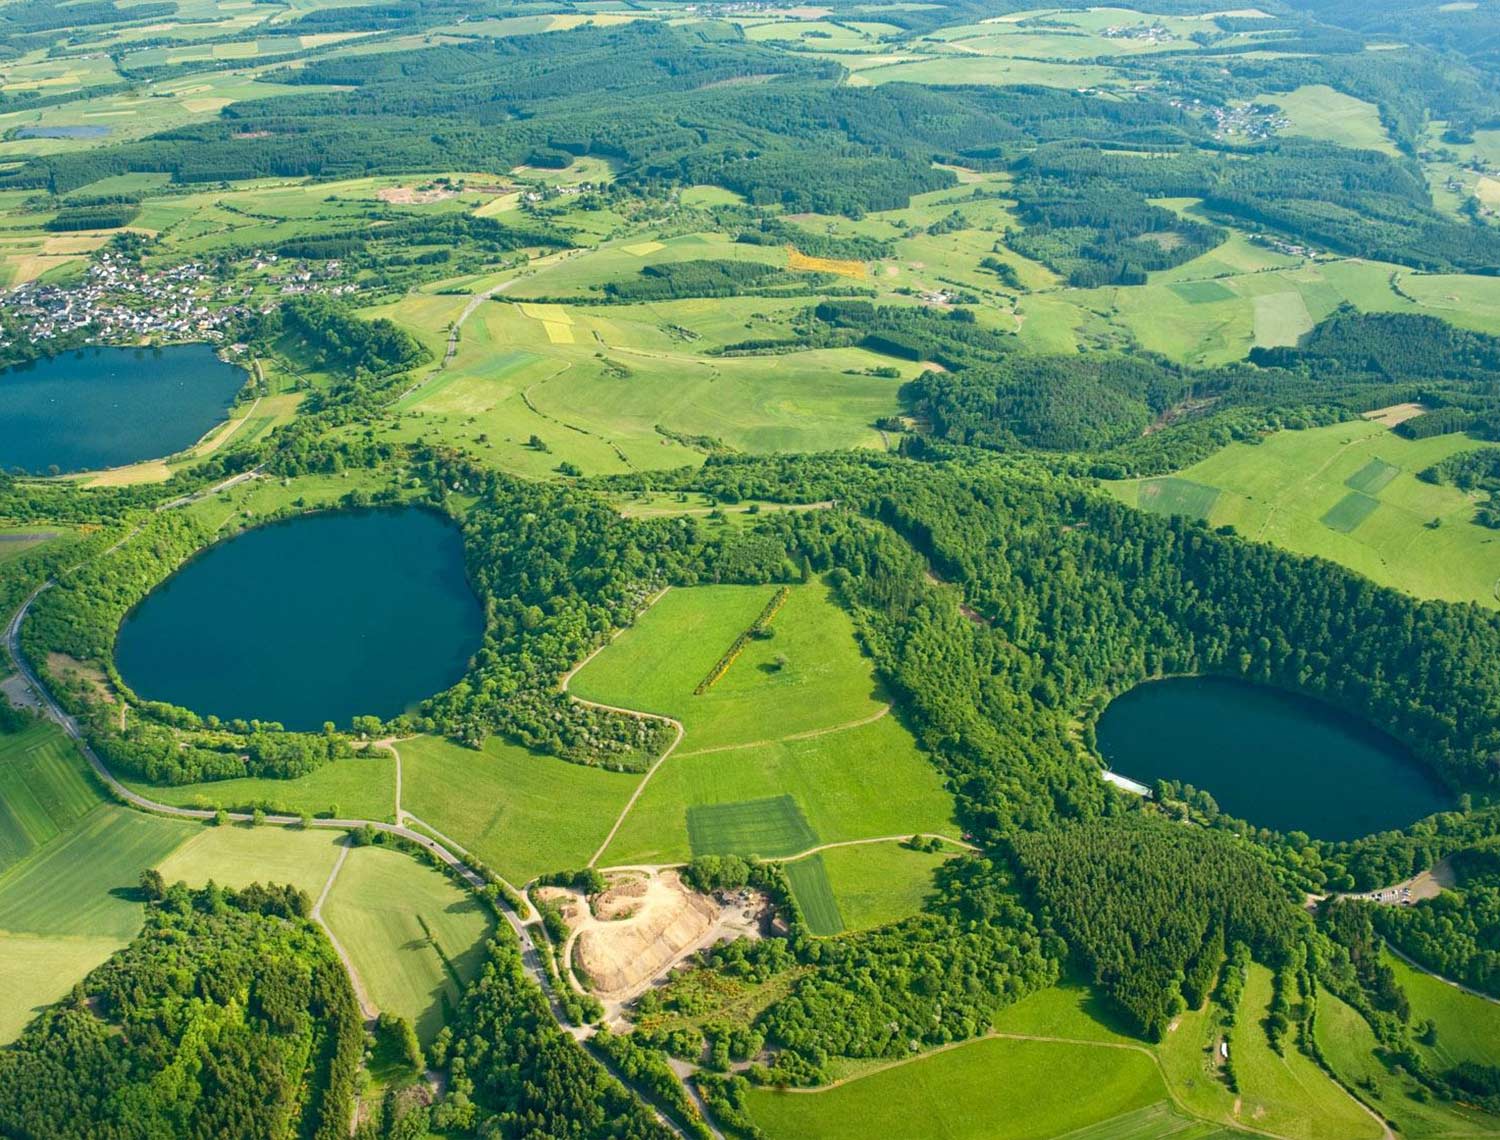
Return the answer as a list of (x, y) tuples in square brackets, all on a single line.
[(733, 785)]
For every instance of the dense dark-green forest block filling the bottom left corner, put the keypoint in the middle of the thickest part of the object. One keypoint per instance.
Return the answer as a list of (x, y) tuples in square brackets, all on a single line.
[(230, 1015)]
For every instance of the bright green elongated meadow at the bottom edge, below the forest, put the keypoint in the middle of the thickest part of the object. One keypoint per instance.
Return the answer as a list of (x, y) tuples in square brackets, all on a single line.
[(991, 1090)]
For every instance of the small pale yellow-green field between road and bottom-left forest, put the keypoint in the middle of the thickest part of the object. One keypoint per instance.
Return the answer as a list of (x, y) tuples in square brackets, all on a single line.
[(239, 854)]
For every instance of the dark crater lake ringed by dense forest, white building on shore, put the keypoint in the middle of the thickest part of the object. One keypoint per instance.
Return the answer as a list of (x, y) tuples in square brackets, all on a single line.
[(1271, 758)]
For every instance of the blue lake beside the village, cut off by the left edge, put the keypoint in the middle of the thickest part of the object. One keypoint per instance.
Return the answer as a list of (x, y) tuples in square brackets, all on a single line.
[(107, 407)]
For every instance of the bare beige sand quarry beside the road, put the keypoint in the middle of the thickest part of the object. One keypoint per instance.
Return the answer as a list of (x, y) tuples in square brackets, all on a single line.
[(644, 925)]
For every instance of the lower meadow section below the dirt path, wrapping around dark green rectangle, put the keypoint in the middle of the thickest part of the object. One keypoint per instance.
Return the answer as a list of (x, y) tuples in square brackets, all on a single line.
[(853, 784)]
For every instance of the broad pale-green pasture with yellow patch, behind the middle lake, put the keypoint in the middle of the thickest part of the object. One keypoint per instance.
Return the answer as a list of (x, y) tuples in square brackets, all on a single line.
[(598, 386)]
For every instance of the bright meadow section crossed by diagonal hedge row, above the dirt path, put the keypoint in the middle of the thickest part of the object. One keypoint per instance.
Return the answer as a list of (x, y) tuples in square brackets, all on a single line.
[(809, 676)]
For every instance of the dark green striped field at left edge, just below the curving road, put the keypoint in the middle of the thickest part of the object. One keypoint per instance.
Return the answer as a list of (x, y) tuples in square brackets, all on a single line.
[(44, 790)]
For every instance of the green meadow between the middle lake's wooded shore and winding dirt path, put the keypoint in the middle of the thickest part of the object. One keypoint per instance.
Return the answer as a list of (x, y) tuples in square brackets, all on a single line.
[(521, 812)]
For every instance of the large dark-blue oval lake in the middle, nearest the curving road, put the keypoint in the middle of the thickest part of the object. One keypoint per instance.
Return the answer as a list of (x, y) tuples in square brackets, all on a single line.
[(316, 619)]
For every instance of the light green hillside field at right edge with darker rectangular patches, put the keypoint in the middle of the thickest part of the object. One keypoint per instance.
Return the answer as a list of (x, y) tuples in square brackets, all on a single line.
[(1348, 493)]
